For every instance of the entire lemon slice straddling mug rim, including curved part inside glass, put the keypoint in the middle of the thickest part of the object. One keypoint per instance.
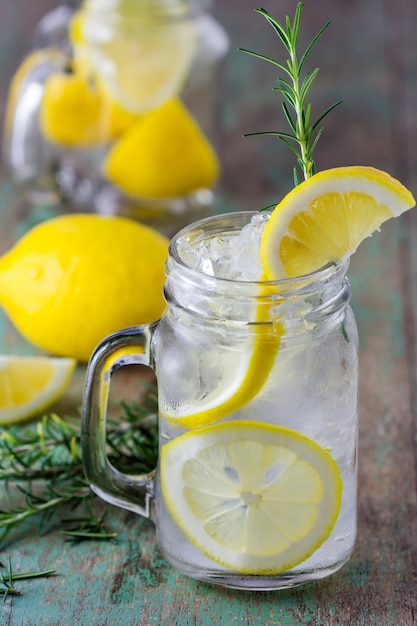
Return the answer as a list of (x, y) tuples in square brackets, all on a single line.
[(322, 220)]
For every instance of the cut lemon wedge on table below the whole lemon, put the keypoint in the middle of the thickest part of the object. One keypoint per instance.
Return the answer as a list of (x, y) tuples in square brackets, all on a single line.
[(29, 385)]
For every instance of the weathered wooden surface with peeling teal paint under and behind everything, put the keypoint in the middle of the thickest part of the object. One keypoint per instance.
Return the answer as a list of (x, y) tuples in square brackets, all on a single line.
[(368, 58)]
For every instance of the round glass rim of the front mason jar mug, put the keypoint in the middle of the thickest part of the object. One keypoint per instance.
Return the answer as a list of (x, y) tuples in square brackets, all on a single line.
[(336, 267)]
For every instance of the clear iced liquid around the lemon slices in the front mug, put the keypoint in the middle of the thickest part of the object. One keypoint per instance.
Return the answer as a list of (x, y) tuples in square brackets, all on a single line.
[(312, 389)]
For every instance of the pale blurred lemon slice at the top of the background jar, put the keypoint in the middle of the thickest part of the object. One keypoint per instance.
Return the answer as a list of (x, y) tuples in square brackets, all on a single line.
[(140, 52)]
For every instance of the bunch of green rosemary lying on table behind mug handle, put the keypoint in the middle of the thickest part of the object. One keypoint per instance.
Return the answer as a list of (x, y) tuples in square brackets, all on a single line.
[(42, 473)]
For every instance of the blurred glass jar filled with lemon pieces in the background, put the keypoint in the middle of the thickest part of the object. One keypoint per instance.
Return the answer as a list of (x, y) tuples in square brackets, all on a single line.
[(117, 110)]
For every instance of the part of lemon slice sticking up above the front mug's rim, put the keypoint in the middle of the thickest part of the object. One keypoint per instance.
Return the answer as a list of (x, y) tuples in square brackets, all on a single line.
[(326, 218)]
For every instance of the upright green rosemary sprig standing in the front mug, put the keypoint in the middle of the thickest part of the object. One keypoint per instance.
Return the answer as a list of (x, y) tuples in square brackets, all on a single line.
[(295, 87)]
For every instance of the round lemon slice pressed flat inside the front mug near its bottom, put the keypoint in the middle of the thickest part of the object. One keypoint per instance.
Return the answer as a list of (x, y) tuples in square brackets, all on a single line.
[(255, 498)]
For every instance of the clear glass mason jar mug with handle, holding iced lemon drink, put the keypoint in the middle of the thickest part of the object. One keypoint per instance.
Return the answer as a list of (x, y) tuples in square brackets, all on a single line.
[(257, 384)]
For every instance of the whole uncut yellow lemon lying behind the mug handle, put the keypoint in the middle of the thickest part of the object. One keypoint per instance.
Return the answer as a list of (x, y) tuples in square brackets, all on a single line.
[(73, 279)]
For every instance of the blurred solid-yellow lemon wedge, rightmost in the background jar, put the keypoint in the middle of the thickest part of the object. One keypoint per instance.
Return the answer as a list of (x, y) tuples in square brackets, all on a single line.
[(164, 154)]
